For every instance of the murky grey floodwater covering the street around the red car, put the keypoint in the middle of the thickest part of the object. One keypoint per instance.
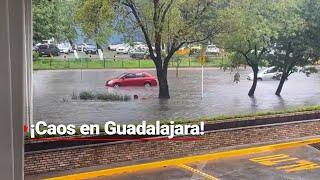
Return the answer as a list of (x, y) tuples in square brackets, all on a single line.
[(53, 91)]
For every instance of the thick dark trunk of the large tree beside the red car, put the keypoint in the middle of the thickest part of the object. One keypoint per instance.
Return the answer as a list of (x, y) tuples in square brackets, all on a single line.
[(163, 83)]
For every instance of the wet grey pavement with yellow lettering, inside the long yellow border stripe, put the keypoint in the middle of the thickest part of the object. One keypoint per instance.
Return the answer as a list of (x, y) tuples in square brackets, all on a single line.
[(294, 163)]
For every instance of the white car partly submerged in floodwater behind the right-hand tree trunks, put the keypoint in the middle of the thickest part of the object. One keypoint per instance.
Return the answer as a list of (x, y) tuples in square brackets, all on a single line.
[(265, 74)]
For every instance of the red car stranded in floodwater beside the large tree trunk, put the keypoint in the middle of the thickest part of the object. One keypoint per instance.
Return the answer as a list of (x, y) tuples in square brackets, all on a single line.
[(133, 79)]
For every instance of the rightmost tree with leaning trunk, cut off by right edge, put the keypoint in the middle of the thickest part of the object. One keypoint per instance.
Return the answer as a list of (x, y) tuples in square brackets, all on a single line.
[(297, 44)]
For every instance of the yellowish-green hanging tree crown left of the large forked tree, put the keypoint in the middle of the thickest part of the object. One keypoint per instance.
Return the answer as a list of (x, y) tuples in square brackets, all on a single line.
[(95, 18)]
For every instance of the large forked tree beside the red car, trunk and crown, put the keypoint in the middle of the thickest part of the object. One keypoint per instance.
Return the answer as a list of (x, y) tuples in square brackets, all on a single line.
[(194, 21)]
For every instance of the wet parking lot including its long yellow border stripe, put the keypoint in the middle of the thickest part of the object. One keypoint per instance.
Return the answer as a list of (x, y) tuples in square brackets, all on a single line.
[(293, 160)]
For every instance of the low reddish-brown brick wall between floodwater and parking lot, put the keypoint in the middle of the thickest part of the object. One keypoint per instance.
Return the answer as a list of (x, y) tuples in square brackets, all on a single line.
[(72, 158)]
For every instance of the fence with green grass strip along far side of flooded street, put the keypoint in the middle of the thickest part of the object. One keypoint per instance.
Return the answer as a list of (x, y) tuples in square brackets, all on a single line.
[(87, 63)]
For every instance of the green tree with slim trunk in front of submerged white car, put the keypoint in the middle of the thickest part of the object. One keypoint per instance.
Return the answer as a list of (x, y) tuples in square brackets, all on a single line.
[(250, 30)]
